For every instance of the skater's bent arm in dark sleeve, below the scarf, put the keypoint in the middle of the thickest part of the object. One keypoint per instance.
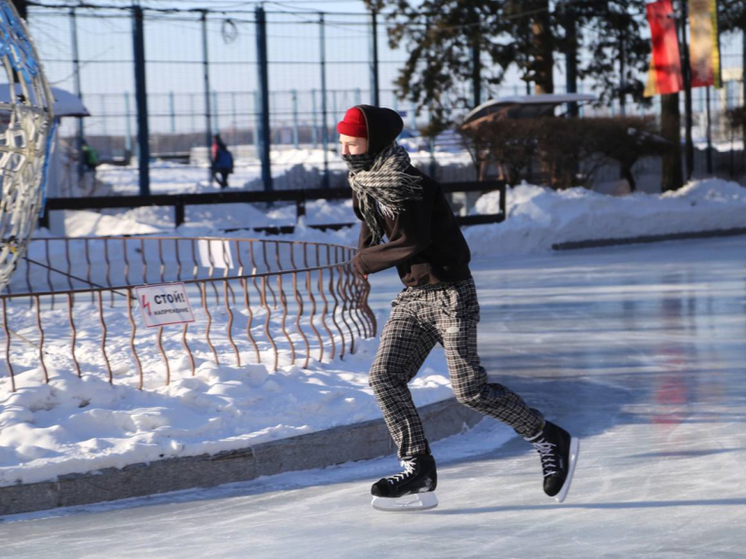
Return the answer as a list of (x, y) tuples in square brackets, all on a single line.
[(410, 235)]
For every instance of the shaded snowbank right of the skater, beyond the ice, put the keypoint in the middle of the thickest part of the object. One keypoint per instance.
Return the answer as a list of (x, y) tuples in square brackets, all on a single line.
[(539, 217)]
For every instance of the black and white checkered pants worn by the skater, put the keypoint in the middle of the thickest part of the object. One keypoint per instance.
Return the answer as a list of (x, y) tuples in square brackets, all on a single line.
[(445, 313)]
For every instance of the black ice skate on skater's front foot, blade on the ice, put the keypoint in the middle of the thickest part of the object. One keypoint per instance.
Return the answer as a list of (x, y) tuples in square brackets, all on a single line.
[(412, 489)]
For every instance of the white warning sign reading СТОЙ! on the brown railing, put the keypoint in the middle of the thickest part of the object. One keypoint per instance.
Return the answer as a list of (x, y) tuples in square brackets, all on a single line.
[(164, 303)]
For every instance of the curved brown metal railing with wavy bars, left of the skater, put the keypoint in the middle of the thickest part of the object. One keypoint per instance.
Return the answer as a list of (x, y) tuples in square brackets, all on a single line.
[(71, 305)]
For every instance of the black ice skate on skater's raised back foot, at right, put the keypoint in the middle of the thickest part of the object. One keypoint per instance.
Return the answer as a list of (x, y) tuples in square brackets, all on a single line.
[(559, 453)]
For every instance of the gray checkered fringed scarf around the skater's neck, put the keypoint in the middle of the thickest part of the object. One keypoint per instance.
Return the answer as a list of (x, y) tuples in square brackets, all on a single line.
[(385, 186)]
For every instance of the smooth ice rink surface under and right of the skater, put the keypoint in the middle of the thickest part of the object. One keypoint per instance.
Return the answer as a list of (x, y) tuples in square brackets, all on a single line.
[(638, 350)]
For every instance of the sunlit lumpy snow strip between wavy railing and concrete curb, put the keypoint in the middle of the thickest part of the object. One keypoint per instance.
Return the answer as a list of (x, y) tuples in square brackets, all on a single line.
[(82, 424)]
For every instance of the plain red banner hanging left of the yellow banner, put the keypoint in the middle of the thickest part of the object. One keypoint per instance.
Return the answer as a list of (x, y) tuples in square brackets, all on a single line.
[(664, 76)]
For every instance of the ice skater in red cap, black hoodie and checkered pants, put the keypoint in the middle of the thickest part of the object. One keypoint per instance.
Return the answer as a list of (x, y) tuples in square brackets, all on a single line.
[(408, 223)]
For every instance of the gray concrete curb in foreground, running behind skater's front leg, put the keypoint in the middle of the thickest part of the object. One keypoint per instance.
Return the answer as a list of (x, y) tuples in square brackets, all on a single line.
[(361, 441)]
